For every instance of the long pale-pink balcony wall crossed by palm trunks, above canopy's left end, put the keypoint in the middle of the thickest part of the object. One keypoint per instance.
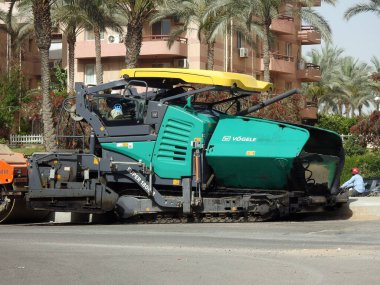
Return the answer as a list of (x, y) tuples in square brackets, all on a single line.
[(153, 45)]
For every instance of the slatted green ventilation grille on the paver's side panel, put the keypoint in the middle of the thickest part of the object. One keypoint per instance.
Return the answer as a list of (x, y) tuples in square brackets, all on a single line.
[(175, 141)]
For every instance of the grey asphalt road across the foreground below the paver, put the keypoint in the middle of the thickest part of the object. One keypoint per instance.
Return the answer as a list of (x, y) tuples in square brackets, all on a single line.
[(303, 252)]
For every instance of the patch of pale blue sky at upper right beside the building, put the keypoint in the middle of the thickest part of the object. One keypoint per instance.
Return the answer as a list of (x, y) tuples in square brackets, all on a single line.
[(359, 37)]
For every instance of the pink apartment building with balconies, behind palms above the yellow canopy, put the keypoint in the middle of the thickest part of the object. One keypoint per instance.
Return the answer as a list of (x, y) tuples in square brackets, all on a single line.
[(232, 53)]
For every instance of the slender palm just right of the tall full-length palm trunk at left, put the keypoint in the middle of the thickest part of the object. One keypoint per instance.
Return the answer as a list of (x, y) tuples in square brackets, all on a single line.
[(65, 13)]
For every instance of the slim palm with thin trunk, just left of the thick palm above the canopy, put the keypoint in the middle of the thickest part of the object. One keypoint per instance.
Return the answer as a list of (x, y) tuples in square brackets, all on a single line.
[(98, 15)]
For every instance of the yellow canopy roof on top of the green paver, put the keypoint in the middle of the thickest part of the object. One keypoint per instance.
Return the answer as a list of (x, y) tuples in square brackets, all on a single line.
[(173, 76)]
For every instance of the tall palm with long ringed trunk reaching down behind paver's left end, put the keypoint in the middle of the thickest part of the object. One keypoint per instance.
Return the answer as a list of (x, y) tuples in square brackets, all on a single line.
[(43, 27)]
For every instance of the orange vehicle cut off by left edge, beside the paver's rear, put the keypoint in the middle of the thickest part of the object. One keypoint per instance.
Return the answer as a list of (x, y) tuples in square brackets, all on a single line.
[(13, 186)]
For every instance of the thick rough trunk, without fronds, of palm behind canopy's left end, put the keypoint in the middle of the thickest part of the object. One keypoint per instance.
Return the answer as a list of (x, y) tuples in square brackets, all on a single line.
[(133, 42)]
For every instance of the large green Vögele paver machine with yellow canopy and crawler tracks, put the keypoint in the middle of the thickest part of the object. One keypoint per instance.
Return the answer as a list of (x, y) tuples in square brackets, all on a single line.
[(157, 153)]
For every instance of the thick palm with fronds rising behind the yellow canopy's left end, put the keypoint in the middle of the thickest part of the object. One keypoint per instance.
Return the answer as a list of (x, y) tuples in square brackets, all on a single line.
[(137, 12)]
